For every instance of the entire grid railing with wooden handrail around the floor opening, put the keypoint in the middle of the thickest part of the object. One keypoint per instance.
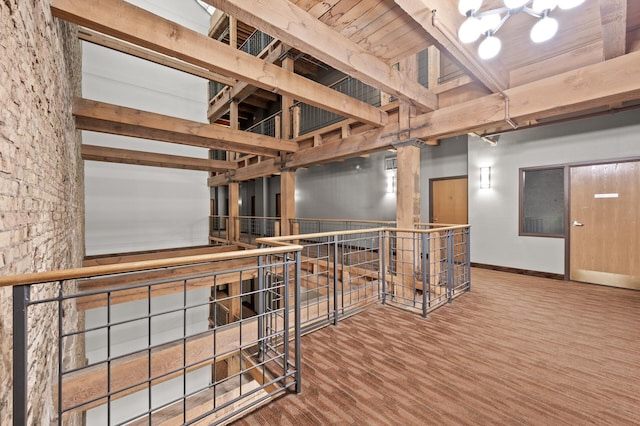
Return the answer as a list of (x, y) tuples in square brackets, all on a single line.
[(158, 360)]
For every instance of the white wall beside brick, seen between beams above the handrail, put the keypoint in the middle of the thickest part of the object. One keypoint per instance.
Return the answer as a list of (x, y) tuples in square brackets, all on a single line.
[(130, 207)]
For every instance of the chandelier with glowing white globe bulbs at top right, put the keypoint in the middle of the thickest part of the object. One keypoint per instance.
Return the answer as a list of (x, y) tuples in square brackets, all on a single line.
[(487, 23)]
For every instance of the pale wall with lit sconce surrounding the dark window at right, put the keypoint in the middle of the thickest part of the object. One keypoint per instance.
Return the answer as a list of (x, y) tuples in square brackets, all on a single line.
[(493, 213)]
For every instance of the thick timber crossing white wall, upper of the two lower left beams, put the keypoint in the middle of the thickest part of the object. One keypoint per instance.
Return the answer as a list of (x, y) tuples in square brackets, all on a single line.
[(107, 118)]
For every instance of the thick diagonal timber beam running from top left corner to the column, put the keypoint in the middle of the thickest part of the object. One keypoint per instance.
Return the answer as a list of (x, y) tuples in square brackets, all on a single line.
[(132, 24)]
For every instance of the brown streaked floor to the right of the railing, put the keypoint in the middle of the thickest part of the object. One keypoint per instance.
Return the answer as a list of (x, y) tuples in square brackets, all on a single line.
[(515, 350)]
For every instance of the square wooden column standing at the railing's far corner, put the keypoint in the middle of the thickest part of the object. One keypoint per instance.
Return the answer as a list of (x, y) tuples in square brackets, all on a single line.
[(408, 190)]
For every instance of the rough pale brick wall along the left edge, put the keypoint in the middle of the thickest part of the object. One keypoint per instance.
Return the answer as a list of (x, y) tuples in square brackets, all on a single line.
[(41, 181)]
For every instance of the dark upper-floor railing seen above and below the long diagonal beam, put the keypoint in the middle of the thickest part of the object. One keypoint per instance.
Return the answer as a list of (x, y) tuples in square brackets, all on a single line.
[(313, 118)]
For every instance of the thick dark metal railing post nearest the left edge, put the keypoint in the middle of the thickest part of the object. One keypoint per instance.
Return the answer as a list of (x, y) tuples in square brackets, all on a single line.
[(20, 352)]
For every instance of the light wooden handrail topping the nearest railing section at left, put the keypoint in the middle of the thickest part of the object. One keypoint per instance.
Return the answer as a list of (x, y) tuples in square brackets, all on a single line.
[(92, 271)]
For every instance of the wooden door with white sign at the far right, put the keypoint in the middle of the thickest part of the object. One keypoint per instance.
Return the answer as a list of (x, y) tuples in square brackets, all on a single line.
[(604, 230)]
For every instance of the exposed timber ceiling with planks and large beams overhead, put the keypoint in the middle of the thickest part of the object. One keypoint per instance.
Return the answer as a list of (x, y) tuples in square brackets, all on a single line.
[(591, 65)]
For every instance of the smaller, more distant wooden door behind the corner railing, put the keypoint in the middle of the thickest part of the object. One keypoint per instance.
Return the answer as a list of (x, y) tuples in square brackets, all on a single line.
[(449, 201)]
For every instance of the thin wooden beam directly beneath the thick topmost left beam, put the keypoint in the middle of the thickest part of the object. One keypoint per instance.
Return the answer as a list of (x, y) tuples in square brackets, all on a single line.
[(94, 37)]
